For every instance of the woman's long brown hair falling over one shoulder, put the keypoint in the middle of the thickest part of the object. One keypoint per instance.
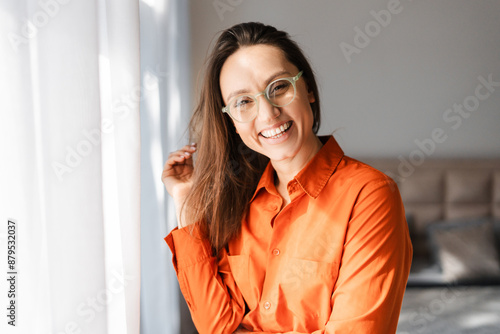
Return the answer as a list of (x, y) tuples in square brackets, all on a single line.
[(227, 171)]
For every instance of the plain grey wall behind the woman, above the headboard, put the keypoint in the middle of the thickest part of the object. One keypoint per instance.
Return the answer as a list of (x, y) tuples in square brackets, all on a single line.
[(398, 87)]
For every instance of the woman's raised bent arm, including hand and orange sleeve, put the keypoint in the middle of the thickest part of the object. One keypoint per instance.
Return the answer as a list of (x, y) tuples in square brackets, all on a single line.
[(208, 286)]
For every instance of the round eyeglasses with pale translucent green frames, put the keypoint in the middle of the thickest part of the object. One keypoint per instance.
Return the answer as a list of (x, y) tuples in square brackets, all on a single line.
[(279, 93)]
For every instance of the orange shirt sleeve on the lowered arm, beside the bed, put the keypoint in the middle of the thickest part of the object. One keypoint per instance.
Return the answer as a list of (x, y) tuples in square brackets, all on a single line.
[(375, 265)]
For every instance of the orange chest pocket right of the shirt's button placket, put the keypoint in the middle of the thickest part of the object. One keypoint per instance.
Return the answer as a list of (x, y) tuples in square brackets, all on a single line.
[(307, 287)]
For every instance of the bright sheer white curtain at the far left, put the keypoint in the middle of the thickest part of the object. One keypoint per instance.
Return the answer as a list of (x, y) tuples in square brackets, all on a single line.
[(70, 168)]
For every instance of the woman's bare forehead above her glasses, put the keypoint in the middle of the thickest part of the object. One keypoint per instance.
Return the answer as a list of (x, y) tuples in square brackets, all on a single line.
[(251, 66)]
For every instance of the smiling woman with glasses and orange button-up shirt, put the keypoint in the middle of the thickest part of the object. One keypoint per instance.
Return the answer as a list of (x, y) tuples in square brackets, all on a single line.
[(279, 231)]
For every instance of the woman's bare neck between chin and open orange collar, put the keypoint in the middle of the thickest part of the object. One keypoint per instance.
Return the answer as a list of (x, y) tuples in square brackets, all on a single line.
[(287, 169)]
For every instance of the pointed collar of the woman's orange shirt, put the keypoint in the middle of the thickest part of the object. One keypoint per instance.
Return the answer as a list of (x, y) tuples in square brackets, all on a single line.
[(314, 176)]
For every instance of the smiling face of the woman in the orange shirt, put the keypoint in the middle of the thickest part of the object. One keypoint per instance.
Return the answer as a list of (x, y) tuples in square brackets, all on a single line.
[(247, 70)]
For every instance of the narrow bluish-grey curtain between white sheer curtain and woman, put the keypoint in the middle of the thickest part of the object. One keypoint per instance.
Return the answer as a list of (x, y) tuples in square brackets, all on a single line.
[(165, 112)]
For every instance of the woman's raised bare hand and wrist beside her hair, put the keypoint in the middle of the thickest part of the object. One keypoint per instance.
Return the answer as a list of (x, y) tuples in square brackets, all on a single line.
[(177, 175)]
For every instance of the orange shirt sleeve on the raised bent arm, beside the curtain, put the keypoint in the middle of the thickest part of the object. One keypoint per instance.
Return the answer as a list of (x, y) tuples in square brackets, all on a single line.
[(214, 300)]
